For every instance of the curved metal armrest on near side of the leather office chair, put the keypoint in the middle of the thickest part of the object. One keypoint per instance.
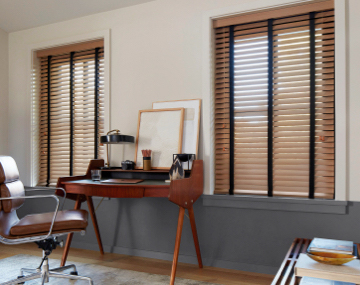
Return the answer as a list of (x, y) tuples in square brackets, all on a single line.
[(21, 240)]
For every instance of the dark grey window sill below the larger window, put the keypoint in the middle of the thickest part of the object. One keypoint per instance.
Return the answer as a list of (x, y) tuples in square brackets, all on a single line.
[(276, 204)]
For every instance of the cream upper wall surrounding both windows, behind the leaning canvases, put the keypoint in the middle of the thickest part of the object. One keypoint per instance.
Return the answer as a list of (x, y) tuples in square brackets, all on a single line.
[(156, 53)]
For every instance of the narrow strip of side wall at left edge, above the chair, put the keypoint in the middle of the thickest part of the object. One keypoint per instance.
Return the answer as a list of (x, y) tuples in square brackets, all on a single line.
[(4, 95)]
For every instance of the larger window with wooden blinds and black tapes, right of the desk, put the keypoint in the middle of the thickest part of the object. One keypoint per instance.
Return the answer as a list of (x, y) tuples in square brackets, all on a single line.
[(274, 102)]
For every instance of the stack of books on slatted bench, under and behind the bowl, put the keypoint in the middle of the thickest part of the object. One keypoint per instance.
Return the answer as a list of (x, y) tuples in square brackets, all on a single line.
[(328, 274)]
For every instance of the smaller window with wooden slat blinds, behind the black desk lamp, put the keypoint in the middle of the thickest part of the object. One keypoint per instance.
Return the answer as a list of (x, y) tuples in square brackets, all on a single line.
[(70, 110)]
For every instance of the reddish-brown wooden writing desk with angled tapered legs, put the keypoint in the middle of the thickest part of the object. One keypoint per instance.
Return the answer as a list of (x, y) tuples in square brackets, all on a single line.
[(183, 192)]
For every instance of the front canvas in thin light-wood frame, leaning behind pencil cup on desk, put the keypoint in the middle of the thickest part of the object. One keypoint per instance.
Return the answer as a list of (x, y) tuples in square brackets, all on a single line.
[(160, 130)]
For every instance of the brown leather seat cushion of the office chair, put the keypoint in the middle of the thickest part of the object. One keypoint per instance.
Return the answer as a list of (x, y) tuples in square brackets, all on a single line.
[(66, 221)]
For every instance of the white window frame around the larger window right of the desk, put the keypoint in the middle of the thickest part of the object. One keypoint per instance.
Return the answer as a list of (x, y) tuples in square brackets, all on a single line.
[(341, 160)]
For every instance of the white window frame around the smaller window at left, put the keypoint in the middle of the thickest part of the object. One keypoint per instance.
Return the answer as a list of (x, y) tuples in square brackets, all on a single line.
[(33, 60)]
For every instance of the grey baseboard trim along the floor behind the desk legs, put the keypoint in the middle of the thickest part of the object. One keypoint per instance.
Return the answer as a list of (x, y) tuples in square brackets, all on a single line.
[(257, 268)]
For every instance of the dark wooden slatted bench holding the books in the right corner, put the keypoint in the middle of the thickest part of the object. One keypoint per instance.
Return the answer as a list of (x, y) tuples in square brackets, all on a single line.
[(286, 274)]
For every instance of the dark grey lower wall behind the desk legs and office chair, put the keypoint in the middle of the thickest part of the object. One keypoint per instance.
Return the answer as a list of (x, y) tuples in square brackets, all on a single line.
[(241, 238)]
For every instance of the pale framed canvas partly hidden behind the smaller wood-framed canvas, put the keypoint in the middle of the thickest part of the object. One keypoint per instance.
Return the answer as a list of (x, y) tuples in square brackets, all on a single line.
[(190, 143)]
